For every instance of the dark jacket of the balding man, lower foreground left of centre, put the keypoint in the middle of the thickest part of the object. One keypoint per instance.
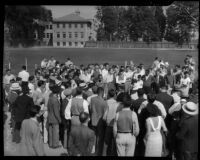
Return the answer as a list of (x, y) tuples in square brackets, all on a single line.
[(81, 141)]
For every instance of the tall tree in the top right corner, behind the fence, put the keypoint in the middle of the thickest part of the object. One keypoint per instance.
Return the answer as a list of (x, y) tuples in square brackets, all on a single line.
[(182, 18)]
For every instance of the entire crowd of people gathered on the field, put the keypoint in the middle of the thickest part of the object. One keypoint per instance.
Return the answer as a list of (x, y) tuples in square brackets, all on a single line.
[(105, 110)]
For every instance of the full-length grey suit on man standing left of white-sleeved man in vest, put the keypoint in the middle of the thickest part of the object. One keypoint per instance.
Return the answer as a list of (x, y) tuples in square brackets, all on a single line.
[(53, 120)]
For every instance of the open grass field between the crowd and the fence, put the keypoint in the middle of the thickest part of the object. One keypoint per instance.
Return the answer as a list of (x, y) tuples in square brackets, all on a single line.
[(93, 55)]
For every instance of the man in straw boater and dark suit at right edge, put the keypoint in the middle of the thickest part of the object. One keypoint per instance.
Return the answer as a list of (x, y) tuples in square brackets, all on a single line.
[(187, 134)]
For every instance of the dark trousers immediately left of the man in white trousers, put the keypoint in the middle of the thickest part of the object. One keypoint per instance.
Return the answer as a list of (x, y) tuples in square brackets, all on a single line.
[(109, 148)]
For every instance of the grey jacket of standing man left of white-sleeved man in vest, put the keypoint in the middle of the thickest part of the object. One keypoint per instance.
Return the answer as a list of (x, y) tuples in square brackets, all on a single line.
[(53, 110)]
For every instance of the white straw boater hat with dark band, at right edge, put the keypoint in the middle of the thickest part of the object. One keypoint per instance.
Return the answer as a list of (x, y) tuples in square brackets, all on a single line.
[(190, 108)]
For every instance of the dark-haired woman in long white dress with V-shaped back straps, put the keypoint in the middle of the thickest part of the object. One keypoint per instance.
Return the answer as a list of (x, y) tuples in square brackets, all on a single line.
[(153, 139)]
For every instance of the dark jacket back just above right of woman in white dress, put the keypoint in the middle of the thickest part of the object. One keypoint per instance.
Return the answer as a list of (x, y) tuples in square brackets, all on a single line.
[(165, 99)]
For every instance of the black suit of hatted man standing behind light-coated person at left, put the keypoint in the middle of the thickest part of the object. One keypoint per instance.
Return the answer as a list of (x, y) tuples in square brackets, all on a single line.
[(21, 108)]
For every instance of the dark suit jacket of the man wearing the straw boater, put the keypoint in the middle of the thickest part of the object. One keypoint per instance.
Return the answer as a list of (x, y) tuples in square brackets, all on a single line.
[(188, 134)]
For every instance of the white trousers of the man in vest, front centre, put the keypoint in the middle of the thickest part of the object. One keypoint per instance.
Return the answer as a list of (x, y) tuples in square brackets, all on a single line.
[(125, 143)]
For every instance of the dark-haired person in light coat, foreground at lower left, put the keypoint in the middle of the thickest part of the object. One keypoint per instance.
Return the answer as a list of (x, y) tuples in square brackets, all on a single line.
[(31, 138)]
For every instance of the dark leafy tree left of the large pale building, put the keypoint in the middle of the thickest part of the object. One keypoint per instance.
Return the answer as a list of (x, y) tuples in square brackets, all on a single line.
[(23, 21)]
